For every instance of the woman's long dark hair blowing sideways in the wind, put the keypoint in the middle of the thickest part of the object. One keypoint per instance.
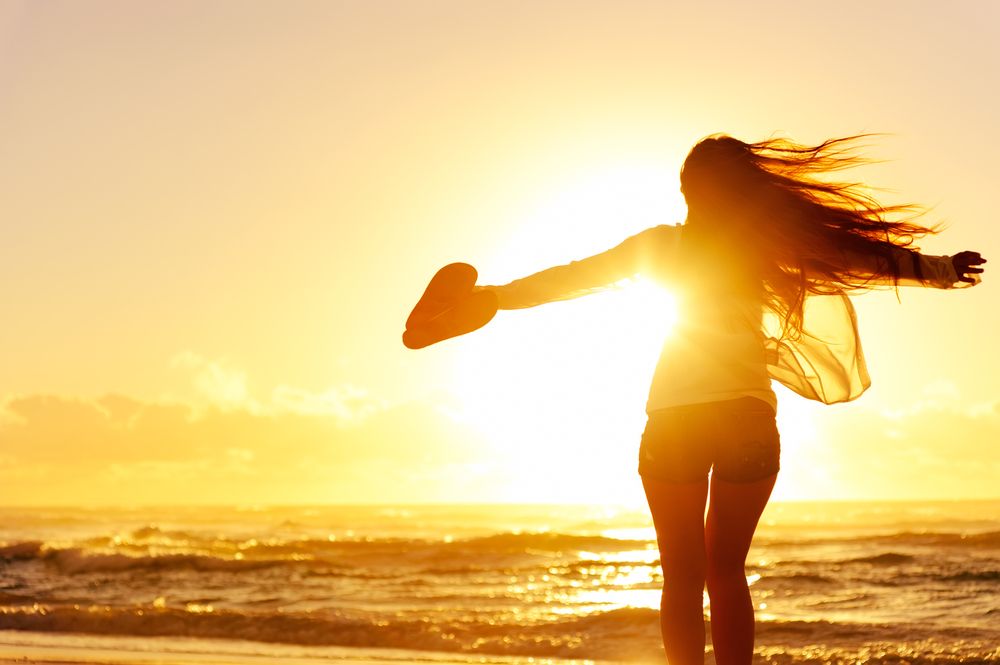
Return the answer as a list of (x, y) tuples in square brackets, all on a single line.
[(789, 228)]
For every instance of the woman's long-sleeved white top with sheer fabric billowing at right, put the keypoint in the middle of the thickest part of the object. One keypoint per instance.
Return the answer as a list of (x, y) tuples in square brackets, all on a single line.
[(722, 351)]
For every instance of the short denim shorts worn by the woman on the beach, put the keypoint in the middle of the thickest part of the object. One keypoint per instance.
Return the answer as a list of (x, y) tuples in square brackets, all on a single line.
[(737, 439)]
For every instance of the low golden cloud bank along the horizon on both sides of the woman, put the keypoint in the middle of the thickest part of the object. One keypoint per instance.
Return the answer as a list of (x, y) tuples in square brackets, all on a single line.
[(342, 444)]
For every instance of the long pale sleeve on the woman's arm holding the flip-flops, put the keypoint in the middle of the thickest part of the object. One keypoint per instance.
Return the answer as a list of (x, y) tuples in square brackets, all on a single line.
[(642, 253)]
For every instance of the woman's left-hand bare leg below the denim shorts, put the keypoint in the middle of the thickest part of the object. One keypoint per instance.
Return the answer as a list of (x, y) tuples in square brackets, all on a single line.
[(678, 511)]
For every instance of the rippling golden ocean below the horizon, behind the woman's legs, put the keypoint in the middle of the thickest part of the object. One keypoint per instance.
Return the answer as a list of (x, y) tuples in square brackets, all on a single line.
[(832, 582)]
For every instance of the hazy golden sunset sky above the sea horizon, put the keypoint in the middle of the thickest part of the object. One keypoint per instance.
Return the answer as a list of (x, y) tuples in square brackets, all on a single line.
[(216, 217)]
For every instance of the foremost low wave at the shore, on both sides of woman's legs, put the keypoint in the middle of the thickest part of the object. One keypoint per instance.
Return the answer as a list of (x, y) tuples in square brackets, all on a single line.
[(622, 634)]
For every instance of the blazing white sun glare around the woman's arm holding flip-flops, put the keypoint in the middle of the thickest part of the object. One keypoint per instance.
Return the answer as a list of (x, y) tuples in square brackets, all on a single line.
[(559, 390)]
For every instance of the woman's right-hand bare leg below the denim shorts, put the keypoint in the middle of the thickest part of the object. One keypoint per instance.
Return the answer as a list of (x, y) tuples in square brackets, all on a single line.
[(733, 514)]
